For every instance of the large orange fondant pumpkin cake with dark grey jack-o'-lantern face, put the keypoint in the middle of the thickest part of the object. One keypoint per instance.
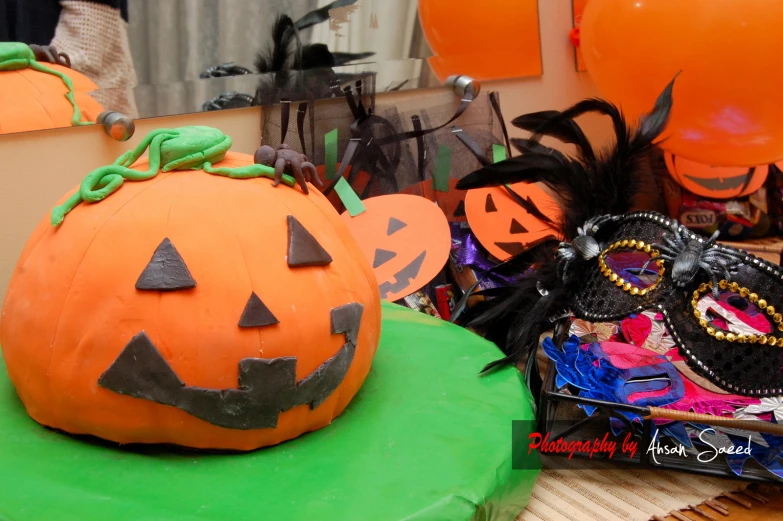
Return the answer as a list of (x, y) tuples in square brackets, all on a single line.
[(192, 309)]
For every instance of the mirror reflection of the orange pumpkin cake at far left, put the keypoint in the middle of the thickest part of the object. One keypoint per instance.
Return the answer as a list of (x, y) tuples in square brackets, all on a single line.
[(32, 100)]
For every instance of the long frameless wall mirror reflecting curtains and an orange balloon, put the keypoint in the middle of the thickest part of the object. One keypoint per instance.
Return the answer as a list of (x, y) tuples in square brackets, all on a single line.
[(152, 58)]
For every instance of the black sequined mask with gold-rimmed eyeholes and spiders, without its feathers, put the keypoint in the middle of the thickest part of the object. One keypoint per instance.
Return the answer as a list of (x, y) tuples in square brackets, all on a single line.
[(722, 306)]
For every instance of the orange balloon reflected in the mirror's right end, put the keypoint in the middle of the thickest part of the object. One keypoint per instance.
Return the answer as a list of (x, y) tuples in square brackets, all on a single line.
[(486, 40)]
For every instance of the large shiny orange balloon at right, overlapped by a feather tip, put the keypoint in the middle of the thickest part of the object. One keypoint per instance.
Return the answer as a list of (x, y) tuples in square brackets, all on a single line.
[(728, 53)]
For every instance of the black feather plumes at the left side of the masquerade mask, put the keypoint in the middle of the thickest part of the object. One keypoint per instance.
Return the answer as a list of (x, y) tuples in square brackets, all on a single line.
[(586, 186)]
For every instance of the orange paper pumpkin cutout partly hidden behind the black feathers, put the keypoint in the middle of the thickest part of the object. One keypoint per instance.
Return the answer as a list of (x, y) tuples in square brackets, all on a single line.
[(503, 226)]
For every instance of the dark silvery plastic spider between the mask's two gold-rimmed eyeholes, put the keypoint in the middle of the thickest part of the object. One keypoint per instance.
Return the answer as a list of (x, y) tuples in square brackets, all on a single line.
[(689, 254)]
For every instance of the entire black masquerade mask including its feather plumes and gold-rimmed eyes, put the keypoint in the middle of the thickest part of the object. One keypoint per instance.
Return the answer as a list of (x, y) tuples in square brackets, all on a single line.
[(722, 306)]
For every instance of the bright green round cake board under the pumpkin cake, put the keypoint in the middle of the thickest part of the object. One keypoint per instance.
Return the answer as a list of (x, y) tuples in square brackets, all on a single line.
[(426, 438)]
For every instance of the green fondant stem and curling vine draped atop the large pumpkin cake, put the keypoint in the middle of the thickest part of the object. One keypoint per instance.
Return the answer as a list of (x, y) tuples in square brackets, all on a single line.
[(184, 148)]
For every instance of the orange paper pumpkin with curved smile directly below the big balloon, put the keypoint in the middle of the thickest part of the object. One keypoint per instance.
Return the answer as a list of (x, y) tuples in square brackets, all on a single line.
[(716, 182)]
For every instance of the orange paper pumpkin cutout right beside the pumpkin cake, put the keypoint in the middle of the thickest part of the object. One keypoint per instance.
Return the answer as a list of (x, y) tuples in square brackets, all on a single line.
[(406, 238)]
